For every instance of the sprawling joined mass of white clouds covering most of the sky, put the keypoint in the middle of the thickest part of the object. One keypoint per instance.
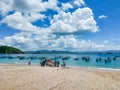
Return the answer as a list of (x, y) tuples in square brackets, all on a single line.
[(32, 37)]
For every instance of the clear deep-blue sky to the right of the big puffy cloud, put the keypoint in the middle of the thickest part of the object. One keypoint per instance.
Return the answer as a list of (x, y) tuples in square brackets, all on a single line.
[(109, 26)]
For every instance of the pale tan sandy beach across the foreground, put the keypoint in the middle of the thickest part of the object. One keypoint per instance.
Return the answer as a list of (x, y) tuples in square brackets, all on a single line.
[(14, 77)]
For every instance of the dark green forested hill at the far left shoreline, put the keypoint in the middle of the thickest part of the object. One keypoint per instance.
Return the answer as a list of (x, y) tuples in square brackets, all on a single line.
[(10, 50)]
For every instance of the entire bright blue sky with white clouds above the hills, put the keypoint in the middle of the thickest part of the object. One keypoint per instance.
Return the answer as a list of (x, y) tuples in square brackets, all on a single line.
[(72, 25)]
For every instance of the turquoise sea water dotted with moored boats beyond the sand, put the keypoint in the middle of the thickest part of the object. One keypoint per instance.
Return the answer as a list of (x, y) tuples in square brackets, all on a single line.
[(70, 59)]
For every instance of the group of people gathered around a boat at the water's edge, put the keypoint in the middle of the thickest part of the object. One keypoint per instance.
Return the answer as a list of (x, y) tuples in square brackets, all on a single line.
[(45, 62)]
